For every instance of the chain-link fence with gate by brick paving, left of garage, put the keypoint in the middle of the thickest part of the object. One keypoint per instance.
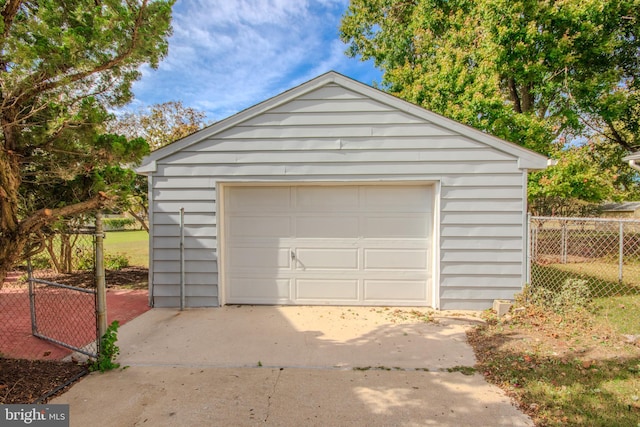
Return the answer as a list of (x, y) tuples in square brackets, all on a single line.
[(48, 305)]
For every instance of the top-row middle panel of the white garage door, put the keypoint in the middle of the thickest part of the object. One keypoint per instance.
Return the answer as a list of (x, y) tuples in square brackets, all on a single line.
[(327, 199)]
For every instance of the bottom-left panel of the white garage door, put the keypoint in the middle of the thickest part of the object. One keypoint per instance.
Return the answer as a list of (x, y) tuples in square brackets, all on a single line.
[(256, 290)]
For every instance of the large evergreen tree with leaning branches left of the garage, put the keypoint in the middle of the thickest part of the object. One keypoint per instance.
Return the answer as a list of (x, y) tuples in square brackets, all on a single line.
[(63, 64)]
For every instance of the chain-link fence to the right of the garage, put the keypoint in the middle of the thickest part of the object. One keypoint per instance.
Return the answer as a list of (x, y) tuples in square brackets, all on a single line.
[(605, 253)]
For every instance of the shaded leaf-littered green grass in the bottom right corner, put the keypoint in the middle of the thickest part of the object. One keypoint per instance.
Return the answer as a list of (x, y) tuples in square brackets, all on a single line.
[(573, 393)]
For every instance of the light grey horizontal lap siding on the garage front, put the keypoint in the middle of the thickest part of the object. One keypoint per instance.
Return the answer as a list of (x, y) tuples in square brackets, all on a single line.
[(334, 135)]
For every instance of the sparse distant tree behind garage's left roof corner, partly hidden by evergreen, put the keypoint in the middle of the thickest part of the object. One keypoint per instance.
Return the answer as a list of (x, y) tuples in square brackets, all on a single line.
[(159, 125)]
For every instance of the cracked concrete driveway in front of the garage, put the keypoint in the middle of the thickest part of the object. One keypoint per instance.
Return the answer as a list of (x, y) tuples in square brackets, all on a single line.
[(281, 366)]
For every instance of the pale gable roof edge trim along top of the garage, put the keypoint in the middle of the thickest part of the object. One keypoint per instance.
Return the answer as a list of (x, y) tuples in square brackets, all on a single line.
[(527, 159)]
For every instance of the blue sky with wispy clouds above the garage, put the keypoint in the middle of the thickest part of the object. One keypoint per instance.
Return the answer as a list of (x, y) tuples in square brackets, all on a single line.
[(228, 55)]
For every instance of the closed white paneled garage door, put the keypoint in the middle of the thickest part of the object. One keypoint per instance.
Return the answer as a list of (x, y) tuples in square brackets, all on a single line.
[(320, 245)]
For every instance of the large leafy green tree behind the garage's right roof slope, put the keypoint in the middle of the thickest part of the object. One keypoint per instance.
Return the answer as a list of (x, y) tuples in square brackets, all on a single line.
[(528, 71)]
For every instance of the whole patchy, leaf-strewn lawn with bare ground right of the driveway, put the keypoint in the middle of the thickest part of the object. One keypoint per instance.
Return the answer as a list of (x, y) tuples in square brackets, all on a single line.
[(568, 365)]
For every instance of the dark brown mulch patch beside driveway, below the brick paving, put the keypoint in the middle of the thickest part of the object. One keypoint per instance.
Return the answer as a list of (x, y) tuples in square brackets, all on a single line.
[(27, 381)]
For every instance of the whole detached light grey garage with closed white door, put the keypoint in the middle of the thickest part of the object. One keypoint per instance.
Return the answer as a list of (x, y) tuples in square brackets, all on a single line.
[(337, 193)]
